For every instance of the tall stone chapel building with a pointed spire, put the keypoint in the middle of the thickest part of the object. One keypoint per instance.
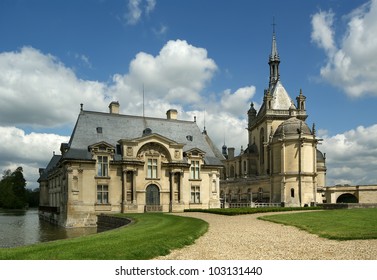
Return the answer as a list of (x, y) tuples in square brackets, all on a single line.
[(281, 163)]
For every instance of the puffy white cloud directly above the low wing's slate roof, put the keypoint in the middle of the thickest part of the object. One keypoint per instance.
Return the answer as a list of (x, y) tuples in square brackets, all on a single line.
[(177, 74)]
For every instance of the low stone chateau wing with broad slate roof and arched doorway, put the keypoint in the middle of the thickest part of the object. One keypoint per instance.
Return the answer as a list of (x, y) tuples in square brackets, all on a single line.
[(118, 163)]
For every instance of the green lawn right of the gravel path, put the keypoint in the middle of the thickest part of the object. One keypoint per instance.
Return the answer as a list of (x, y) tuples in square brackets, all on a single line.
[(344, 224)]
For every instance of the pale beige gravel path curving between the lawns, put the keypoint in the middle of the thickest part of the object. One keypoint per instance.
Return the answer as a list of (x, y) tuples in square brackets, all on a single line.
[(246, 237)]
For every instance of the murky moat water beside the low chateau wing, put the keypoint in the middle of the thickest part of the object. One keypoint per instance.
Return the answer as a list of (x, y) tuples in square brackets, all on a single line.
[(23, 227)]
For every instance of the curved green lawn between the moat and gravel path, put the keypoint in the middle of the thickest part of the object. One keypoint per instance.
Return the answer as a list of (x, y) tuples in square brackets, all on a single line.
[(151, 235)]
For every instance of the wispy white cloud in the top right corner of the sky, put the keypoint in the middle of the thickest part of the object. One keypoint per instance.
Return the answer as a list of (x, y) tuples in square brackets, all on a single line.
[(351, 64)]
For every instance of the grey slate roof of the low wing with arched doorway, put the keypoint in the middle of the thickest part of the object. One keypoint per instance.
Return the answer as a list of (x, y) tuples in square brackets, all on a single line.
[(117, 126)]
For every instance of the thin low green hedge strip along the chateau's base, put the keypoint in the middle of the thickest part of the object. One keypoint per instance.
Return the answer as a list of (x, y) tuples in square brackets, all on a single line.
[(248, 210)]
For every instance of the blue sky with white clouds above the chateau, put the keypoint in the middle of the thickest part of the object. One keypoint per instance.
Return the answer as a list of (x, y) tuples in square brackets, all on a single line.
[(205, 58)]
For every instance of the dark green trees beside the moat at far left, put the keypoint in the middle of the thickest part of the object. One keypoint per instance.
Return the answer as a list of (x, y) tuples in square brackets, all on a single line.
[(12, 189)]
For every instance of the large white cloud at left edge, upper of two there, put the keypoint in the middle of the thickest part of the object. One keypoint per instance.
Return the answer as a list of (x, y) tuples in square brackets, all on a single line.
[(38, 90)]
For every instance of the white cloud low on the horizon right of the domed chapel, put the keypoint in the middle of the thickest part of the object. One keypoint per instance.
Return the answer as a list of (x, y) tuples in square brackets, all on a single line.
[(351, 156)]
